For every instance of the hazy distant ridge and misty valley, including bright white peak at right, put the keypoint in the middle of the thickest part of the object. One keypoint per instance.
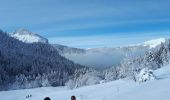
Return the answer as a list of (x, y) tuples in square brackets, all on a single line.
[(106, 57)]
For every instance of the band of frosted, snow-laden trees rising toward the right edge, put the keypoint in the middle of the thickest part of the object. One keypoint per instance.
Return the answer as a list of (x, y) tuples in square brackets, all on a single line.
[(136, 68)]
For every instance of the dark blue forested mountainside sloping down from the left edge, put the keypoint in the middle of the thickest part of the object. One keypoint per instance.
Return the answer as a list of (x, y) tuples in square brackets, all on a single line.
[(25, 65)]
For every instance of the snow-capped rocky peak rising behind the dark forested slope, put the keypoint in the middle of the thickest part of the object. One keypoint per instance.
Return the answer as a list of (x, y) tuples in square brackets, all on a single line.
[(26, 36)]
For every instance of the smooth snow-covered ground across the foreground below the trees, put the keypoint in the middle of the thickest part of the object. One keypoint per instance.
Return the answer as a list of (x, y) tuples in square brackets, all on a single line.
[(117, 90)]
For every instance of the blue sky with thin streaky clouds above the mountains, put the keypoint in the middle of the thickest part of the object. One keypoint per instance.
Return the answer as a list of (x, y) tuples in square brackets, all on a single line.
[(89, 23)]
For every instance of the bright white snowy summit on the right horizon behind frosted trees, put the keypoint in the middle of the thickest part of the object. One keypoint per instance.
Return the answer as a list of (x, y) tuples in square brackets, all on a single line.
[(154, 43)]
